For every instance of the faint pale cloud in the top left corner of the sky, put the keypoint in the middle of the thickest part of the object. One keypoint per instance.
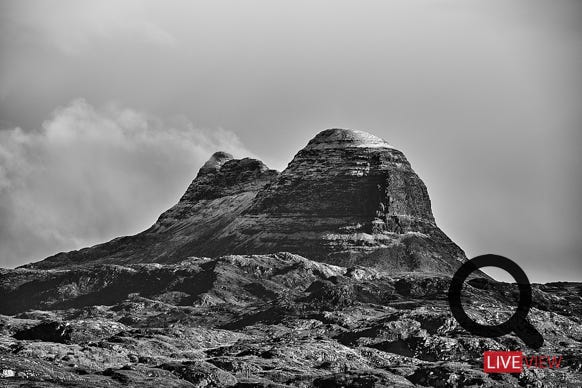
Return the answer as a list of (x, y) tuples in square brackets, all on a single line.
[(71, 25)]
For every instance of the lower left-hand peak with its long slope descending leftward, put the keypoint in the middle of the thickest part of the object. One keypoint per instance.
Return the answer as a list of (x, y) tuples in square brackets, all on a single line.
[(222, 190)]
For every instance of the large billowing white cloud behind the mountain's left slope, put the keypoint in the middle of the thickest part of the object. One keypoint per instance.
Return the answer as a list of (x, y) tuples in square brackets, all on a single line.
[(88, 175)]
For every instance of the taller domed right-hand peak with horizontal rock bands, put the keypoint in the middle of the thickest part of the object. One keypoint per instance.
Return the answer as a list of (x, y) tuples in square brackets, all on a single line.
[(348, 197)]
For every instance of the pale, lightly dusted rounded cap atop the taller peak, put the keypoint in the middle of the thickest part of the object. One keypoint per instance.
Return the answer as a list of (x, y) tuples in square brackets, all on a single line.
[(346, 138)]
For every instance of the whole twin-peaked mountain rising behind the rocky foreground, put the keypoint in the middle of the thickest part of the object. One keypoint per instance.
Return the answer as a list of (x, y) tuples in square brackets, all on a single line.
[(347, 198)]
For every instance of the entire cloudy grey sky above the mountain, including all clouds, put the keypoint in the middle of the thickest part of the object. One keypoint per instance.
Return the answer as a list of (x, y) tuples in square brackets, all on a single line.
[(108, 109)]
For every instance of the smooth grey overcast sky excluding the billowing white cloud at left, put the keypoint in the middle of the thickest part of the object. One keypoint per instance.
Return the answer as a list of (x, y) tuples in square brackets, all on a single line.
[(483, 96)]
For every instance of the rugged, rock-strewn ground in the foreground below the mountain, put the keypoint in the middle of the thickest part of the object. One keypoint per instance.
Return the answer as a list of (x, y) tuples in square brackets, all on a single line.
[(266, 321)]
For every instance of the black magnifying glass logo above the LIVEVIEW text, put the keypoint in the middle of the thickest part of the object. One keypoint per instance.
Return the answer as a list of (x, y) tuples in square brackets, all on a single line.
[(517, 323)]
